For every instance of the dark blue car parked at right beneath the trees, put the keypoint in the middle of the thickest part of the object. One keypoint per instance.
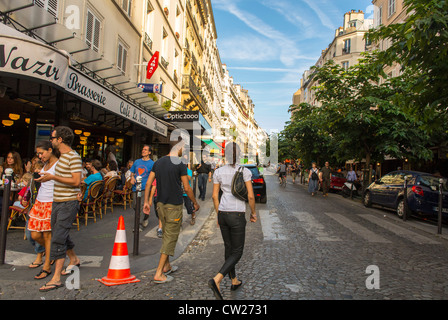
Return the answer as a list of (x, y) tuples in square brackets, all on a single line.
[(422, 193)]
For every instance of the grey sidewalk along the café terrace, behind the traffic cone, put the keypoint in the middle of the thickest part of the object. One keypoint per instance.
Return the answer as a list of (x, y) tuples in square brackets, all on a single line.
[(93, 245)]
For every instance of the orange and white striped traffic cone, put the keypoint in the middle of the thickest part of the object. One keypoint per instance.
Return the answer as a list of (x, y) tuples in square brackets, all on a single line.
[(119, 270)]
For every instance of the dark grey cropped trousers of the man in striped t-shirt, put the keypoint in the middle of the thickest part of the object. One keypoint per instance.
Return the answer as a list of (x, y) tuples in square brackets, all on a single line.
[(63, 215)]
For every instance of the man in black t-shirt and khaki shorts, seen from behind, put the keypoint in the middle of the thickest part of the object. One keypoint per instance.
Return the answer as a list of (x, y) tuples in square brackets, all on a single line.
[(171, 175)]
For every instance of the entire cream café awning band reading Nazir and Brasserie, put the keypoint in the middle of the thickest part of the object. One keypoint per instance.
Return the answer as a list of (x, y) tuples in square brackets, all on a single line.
[(32, 59)]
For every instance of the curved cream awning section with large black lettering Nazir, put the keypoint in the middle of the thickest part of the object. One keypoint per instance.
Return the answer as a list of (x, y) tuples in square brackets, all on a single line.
[(34, 60)]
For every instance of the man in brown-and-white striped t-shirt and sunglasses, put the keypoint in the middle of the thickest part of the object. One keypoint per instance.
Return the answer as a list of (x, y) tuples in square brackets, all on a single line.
[(67, 179)]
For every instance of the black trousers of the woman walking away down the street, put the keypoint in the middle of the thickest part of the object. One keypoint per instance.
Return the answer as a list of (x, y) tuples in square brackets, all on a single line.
[(233, 231)]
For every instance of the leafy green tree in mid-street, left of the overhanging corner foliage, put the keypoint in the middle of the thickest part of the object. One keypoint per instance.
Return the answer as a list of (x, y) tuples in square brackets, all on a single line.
[(363, 113)]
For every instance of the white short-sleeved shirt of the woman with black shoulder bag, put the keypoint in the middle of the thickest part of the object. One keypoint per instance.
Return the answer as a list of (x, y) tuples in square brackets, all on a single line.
[(224, 176)]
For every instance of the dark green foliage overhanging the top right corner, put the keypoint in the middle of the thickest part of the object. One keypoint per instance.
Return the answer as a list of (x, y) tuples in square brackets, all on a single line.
[(420, 45)]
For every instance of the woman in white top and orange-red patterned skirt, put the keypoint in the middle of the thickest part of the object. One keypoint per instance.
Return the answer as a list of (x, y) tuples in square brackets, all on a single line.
[(40, 215)]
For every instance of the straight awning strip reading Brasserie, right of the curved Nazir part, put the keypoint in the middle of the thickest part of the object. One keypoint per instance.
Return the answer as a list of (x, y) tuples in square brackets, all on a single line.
[(89, 90)]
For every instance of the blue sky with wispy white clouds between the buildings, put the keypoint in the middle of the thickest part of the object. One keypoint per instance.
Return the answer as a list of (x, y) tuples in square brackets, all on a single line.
[(267, 45)]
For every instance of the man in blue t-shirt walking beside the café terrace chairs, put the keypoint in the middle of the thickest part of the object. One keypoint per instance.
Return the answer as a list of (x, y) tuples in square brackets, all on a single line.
[(142, 167)]
